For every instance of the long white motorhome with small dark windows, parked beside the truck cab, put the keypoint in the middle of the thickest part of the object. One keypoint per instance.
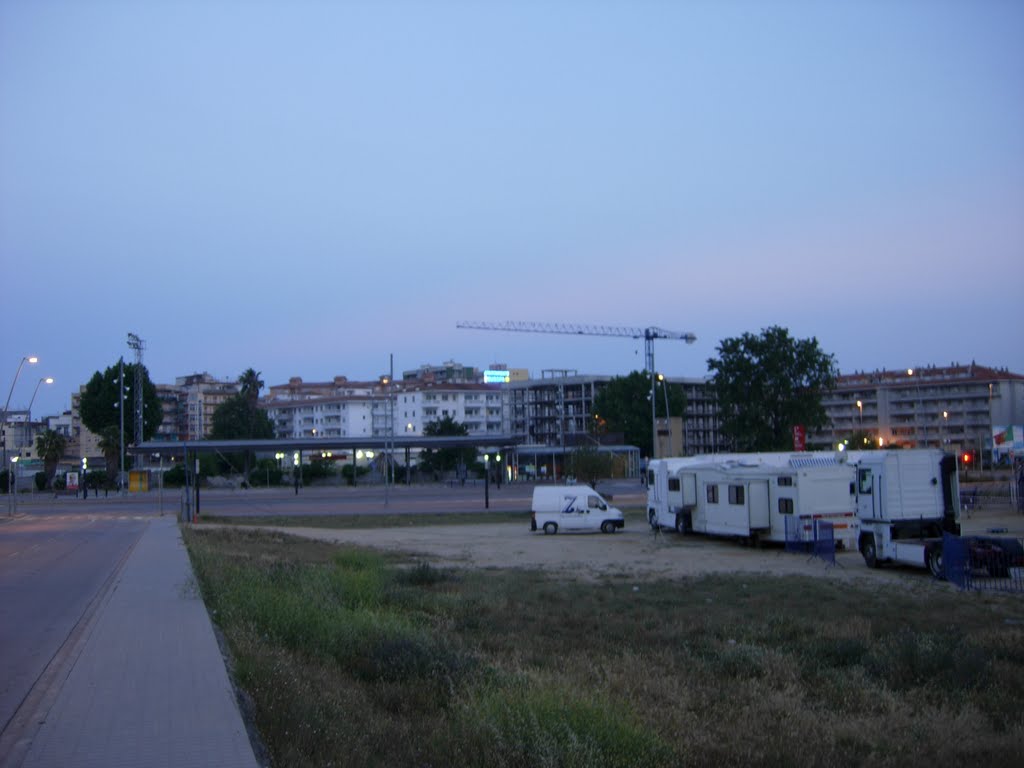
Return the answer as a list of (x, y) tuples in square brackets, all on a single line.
[(754, 496)]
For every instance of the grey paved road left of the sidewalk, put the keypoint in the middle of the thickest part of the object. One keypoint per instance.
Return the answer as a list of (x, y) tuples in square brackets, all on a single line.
[(52, 570)]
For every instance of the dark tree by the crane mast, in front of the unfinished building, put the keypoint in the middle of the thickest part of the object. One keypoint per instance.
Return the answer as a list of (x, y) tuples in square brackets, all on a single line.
[(624, 406)]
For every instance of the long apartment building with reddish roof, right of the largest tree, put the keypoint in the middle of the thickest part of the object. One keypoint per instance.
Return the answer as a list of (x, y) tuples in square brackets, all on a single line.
[(955, 408)]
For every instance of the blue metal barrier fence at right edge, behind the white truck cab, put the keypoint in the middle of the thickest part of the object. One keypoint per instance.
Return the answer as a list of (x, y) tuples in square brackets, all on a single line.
[(985, 563)]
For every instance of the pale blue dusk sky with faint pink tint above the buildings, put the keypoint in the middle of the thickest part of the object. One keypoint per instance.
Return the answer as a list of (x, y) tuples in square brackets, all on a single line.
[(306, 188)]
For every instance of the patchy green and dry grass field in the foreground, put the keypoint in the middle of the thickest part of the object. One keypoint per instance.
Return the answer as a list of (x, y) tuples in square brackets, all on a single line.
[(359, 659)]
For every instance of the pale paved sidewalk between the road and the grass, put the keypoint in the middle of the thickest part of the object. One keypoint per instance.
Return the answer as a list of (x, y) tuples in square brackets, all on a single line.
[(149, 688)]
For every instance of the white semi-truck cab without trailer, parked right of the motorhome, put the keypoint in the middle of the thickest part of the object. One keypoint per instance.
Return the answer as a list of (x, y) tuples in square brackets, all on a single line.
[(906, 501)]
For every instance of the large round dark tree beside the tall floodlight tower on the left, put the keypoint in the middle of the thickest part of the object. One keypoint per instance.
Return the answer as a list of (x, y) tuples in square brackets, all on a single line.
[(99, 406)]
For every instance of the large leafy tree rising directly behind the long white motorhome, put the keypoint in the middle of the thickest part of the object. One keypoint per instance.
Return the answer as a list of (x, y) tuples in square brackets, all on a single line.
[(769, 385)]
